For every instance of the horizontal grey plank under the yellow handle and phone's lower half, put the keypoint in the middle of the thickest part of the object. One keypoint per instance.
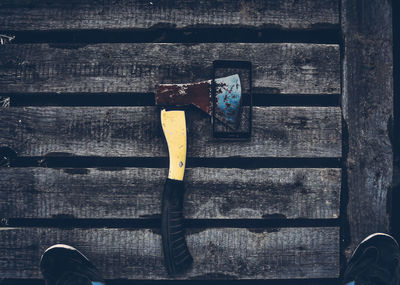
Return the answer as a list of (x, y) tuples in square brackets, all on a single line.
[(136, 132)]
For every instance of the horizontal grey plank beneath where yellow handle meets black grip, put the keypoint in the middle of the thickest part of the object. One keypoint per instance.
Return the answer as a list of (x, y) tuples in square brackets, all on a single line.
[(211, 193)]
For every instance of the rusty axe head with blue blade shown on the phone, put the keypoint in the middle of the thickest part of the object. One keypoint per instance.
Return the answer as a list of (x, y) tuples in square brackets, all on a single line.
[(228, 97)]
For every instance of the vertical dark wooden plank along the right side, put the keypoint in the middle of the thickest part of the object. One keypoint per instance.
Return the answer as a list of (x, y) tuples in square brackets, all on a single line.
[(368, 112)]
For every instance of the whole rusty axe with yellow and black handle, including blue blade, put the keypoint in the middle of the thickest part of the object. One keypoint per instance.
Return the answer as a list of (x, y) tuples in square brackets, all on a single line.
[(227, 109)]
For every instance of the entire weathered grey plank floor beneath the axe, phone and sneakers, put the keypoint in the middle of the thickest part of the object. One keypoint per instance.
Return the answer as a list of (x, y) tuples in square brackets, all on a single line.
[(84, 157)]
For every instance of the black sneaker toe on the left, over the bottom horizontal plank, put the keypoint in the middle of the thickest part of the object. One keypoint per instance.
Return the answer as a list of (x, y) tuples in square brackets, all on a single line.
[(63, 265)]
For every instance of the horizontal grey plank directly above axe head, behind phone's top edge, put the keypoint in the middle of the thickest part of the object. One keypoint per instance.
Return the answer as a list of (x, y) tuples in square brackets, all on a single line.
[(138, 67)]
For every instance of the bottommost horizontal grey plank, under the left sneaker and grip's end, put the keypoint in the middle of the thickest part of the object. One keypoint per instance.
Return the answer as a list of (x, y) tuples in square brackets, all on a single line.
[(223, 253)]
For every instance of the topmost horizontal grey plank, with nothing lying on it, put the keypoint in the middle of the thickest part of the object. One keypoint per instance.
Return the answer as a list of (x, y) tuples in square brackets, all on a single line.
[(133, 14)]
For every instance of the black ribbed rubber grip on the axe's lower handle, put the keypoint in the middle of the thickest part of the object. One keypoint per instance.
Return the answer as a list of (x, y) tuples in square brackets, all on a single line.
[(176, 254)]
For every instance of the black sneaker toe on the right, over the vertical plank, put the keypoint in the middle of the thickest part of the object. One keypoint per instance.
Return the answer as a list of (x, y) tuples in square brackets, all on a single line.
[(375, 261)]
